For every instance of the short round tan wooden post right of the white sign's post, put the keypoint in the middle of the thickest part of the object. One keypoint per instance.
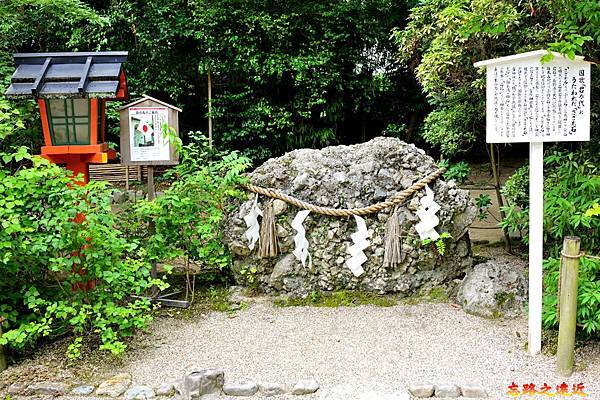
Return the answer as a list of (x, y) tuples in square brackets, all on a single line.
[(568, 306)]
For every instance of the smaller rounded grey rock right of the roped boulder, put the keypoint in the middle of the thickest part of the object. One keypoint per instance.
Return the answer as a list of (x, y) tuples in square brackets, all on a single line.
[(494, 289)]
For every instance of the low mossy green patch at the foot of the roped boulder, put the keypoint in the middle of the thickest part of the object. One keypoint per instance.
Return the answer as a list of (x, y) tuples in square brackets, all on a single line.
[(342, 298)]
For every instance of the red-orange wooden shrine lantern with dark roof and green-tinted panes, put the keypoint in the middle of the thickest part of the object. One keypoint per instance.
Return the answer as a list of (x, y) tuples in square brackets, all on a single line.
[(71, 90)]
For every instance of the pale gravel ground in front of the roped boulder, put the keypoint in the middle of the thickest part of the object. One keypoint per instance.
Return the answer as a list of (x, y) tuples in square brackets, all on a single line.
[(354, 351)]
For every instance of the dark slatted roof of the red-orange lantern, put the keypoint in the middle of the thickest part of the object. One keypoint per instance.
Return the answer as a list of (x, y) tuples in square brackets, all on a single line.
[(68, 75)]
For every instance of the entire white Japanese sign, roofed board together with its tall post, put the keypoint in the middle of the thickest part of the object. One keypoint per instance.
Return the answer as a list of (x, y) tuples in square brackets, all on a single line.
[(534, 102)]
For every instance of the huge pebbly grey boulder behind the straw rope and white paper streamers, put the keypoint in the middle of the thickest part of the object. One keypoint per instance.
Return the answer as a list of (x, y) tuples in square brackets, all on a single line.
[(347, 177)]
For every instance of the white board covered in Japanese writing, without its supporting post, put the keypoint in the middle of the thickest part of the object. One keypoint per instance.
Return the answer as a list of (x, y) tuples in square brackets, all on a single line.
[(528, 101)]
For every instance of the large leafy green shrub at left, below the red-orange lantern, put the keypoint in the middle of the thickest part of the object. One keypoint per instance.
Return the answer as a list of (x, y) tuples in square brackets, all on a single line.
[(47, 259)]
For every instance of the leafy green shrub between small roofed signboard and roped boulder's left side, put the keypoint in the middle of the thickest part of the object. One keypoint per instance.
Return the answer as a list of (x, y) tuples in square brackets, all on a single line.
[(187, 216)]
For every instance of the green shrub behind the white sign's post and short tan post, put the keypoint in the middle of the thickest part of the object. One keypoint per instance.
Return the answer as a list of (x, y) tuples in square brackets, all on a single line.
[(571, 196)]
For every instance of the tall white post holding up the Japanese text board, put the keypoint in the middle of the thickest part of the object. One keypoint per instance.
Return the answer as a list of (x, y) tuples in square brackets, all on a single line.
[(536, 244)]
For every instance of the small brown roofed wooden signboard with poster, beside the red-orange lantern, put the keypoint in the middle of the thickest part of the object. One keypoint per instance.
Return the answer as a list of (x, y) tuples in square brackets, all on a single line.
[(143, 141)]
